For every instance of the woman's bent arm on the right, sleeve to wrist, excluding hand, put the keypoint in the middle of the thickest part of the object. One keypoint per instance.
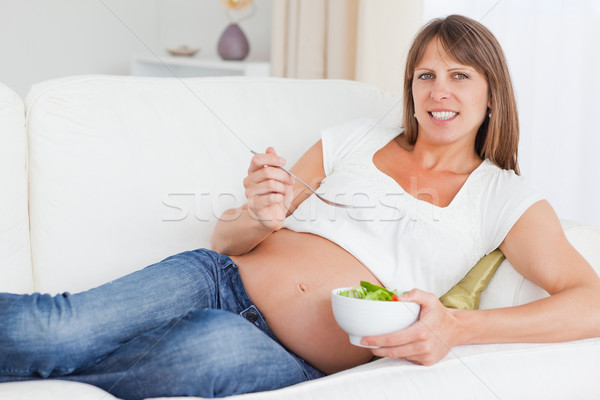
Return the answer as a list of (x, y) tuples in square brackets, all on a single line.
[(539, 250)]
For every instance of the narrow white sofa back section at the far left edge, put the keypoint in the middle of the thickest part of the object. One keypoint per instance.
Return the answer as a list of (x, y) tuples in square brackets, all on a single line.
[(15, 254)]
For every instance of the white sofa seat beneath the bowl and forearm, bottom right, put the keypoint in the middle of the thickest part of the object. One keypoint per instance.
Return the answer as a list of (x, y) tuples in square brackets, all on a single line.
[(515, 371)]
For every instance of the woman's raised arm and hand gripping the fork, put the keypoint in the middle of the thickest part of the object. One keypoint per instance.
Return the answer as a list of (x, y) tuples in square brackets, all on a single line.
[(271, 195)]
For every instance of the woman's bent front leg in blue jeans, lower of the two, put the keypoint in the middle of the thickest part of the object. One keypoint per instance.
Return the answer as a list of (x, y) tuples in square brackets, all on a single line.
[(208, 353)]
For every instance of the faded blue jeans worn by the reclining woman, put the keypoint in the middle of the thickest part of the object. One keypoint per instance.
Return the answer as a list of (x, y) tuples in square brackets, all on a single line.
[(182, 327)]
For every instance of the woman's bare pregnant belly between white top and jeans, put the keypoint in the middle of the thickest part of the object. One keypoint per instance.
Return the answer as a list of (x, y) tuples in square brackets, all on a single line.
[(289, 277)]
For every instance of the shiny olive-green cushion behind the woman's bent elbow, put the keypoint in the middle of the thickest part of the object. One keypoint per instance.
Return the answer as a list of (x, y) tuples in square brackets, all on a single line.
[(466, 294)]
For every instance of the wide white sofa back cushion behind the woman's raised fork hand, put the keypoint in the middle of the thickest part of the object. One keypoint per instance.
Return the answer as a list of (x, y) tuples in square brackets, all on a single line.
[(125, 171)]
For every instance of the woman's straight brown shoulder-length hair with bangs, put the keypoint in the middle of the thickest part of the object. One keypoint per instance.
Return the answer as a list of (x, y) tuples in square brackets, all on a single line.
[(472, 44)]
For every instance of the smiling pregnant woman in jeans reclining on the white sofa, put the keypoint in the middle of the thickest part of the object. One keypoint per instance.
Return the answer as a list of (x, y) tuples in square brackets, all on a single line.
[(254, 313)]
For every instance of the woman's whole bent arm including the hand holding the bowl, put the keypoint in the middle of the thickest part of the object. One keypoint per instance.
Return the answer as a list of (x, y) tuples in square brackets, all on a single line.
[(538, 249)]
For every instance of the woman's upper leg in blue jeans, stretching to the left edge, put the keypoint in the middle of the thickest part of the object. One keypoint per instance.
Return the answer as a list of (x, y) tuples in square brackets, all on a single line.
[(43, 335)]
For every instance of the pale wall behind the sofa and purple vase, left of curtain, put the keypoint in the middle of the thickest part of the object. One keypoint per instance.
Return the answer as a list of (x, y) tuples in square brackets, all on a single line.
[(41, 39)]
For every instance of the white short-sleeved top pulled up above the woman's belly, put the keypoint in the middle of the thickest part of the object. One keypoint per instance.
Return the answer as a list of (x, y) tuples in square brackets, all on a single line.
[(405, 242)]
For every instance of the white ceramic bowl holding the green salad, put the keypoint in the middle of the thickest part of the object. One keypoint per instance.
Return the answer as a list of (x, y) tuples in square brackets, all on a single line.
[(360, 318)]
